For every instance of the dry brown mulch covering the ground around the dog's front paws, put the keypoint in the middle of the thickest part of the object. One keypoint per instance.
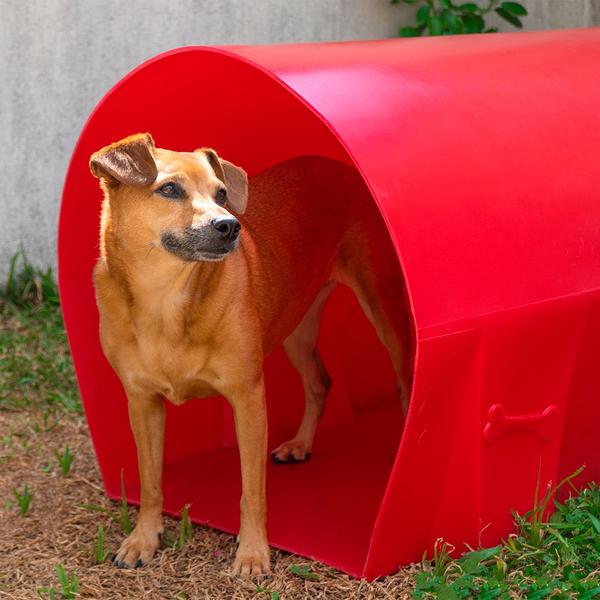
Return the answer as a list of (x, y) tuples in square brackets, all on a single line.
[(55, 531)]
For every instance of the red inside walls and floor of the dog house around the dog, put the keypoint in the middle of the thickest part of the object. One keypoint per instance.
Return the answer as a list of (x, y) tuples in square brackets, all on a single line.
[(326, 507)]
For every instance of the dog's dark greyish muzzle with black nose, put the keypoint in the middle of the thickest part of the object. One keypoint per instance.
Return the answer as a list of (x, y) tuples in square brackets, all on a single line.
[(213, 241)]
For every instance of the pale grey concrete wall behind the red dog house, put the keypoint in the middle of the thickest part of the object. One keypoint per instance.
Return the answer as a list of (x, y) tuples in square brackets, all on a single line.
[(58, 57)]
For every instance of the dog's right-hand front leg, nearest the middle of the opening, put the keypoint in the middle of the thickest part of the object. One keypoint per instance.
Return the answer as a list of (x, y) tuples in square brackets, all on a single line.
[(252, 557)]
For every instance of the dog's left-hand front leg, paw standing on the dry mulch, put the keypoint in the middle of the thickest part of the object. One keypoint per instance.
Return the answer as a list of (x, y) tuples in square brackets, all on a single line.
[(147, 419)]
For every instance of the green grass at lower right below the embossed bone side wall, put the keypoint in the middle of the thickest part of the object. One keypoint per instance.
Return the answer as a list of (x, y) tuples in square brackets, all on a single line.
[(556, 557)]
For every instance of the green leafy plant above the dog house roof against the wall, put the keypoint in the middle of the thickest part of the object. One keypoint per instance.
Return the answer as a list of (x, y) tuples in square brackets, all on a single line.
[(445, 17)]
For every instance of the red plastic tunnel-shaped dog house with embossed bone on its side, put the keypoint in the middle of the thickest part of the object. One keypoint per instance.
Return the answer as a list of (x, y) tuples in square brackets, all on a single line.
[(482, 154)]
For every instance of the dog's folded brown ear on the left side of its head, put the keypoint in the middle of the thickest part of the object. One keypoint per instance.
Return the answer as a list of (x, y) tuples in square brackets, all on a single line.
[(130, 161)]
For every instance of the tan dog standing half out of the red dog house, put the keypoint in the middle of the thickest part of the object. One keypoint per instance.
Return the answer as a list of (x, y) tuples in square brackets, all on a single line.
[(191, 300)]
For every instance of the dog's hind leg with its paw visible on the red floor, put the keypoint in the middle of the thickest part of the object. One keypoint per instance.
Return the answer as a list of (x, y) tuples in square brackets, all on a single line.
[(301, 348)]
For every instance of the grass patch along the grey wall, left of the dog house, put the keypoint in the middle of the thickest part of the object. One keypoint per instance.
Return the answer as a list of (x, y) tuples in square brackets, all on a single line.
[(36, 370)]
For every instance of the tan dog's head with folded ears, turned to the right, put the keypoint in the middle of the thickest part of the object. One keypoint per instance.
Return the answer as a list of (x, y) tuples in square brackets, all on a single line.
[(181, 202)]
